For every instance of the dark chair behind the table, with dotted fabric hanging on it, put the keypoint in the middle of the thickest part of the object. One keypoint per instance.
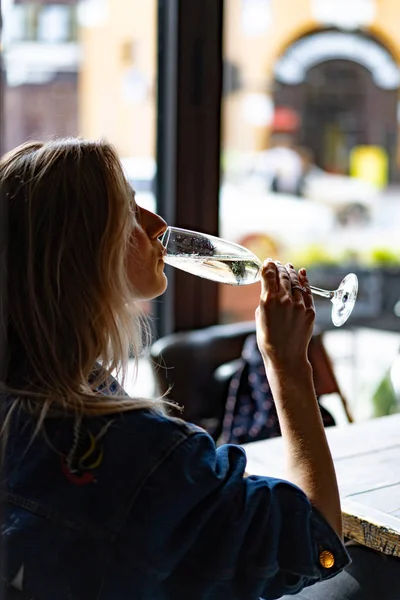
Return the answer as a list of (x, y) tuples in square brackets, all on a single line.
[(196, 366)]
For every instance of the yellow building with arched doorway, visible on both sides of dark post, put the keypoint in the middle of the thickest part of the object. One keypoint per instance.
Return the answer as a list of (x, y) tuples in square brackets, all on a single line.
[(326, 71)]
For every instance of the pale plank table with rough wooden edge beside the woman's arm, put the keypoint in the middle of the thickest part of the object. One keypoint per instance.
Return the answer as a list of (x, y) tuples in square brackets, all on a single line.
[(367, 462)]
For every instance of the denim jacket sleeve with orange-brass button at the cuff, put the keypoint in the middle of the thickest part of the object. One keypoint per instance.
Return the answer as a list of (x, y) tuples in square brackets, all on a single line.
[(255, 536)]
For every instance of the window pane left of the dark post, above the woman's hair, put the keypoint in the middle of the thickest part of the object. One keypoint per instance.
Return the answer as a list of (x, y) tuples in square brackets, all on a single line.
[(112, 94)]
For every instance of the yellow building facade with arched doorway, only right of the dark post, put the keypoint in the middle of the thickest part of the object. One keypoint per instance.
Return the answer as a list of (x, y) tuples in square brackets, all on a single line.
[(325, 71)]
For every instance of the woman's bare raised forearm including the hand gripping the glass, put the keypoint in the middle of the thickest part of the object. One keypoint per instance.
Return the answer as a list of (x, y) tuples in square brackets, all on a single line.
[(285, 319)]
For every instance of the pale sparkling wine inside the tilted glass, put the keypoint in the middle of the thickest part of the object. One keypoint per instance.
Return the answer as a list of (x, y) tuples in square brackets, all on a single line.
[(224, 269)]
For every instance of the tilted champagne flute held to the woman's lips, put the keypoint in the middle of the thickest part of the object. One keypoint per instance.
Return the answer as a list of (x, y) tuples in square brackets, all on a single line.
[(226, 262)]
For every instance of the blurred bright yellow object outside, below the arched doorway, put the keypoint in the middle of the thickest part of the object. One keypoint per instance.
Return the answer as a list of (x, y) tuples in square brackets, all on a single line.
[(370, 163)]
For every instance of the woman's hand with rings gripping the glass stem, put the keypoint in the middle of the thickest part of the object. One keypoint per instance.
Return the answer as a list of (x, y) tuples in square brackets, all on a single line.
[(285, 316)]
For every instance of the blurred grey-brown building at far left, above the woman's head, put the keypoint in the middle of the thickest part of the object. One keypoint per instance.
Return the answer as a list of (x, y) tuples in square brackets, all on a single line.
[(41, 61)]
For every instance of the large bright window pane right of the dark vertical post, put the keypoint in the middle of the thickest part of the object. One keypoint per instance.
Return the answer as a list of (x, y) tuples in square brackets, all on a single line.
[(310, 141)]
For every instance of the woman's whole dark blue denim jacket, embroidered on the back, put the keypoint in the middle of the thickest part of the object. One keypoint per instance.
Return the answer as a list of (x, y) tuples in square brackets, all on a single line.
[(140, 506)]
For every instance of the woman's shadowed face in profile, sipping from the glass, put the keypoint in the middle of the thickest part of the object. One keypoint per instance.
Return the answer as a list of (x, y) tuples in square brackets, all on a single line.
[(145, 262)]
